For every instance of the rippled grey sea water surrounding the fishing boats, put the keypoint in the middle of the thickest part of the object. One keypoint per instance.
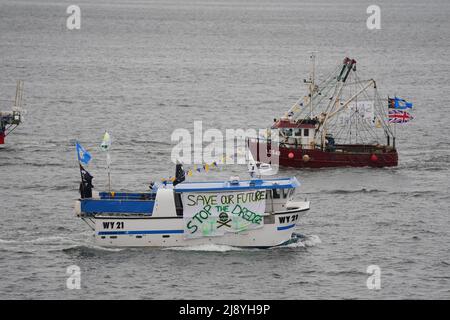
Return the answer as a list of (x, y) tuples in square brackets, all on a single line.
[(142, 69)]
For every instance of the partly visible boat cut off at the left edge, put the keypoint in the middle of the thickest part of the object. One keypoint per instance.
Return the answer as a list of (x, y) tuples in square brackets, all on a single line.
[(9, 120)]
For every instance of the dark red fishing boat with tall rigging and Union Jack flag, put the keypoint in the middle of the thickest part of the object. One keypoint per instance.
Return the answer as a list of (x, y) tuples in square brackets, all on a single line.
[(342, 121)]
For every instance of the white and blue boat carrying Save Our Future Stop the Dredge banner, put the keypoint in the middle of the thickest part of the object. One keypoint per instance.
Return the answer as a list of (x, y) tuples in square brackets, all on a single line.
[(244, 213)]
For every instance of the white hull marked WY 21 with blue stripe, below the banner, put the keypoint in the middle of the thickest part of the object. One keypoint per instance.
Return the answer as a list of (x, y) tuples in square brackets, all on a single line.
[(135, 231)]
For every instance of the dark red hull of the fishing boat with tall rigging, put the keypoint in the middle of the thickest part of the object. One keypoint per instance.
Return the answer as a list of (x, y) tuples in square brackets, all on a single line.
[(353, 156)]
